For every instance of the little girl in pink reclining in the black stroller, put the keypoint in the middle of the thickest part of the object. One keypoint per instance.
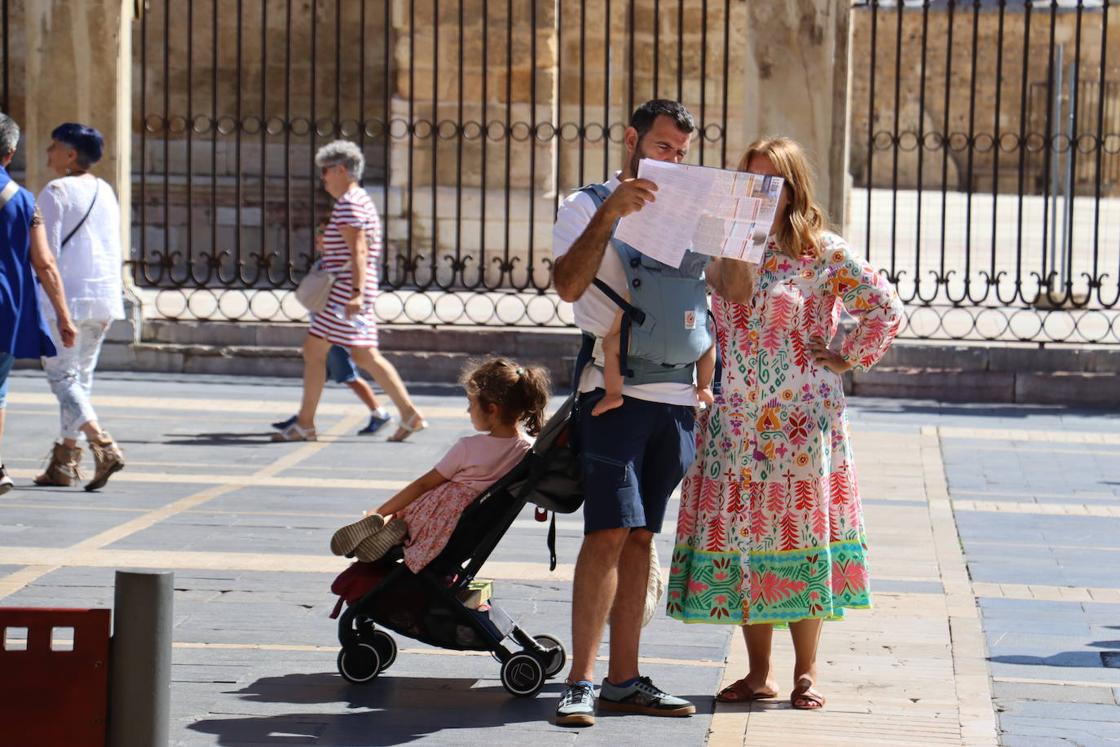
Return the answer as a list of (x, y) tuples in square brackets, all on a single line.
[(505, 398)]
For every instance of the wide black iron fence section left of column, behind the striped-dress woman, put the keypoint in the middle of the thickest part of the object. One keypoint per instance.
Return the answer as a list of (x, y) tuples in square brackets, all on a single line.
[(477, 118)]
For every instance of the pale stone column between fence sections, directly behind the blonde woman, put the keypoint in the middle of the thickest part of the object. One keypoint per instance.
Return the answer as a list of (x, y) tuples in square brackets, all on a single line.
[(797, 85)]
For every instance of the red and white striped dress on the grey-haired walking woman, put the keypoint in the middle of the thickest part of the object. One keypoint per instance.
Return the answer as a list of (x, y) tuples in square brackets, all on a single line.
[(356, 210)]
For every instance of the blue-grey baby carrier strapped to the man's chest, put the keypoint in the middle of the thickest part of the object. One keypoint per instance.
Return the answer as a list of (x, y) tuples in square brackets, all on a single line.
[(666, 326)]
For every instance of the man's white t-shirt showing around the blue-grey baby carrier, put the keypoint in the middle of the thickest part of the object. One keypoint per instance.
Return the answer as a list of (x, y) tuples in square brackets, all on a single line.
[(594, 312)]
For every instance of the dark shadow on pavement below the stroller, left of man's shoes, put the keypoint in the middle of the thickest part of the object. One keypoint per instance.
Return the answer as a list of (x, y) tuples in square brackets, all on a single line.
[(391, 711)]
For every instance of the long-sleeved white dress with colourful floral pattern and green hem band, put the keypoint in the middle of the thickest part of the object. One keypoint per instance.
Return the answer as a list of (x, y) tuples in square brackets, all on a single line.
[(771, 527)]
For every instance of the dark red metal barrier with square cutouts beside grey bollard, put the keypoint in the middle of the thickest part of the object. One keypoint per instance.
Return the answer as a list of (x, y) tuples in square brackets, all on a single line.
[(50, 696)]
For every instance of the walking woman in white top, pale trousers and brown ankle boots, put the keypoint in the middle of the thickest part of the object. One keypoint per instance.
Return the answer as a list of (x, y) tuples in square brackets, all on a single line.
[(83, 222)]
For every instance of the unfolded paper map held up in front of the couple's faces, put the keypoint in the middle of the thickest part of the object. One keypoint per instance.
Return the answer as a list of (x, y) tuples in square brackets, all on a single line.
[(711, 211)]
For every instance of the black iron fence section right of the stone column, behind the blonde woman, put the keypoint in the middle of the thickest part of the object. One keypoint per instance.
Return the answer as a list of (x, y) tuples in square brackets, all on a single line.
[(986, 155)]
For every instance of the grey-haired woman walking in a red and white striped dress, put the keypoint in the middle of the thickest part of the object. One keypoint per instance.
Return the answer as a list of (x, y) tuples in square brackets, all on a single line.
[(352, 251)]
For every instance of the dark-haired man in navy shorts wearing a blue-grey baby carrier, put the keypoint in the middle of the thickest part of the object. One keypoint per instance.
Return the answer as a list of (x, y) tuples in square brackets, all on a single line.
[(633, 456)]
